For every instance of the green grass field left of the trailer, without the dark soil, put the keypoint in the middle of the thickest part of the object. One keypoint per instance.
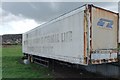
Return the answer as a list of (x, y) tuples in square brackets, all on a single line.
[(13, 67)]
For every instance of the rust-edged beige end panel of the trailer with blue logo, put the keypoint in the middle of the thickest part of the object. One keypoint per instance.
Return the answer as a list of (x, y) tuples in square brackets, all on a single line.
[(104, 35)]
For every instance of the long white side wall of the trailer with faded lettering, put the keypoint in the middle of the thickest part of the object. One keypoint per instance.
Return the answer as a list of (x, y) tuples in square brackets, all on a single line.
[(71, 50)]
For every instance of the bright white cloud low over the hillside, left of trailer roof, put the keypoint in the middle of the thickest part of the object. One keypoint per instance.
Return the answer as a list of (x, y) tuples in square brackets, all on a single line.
[(12, 24)]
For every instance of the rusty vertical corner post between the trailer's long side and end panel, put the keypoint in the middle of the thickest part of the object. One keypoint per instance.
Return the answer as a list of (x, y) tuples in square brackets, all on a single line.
[(87, 34)]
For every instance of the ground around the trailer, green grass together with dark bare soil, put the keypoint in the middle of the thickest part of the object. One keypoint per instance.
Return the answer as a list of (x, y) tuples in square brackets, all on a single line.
[(13, 68)]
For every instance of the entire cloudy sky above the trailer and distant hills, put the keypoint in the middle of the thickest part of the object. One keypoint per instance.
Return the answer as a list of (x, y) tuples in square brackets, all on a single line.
[(19, 17)]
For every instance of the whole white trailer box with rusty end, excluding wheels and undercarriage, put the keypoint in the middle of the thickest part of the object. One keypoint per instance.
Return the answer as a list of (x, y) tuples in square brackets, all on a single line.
[(86, 35)]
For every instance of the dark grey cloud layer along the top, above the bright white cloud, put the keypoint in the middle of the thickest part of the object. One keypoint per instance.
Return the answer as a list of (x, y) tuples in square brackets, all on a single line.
[(45, 11)]
